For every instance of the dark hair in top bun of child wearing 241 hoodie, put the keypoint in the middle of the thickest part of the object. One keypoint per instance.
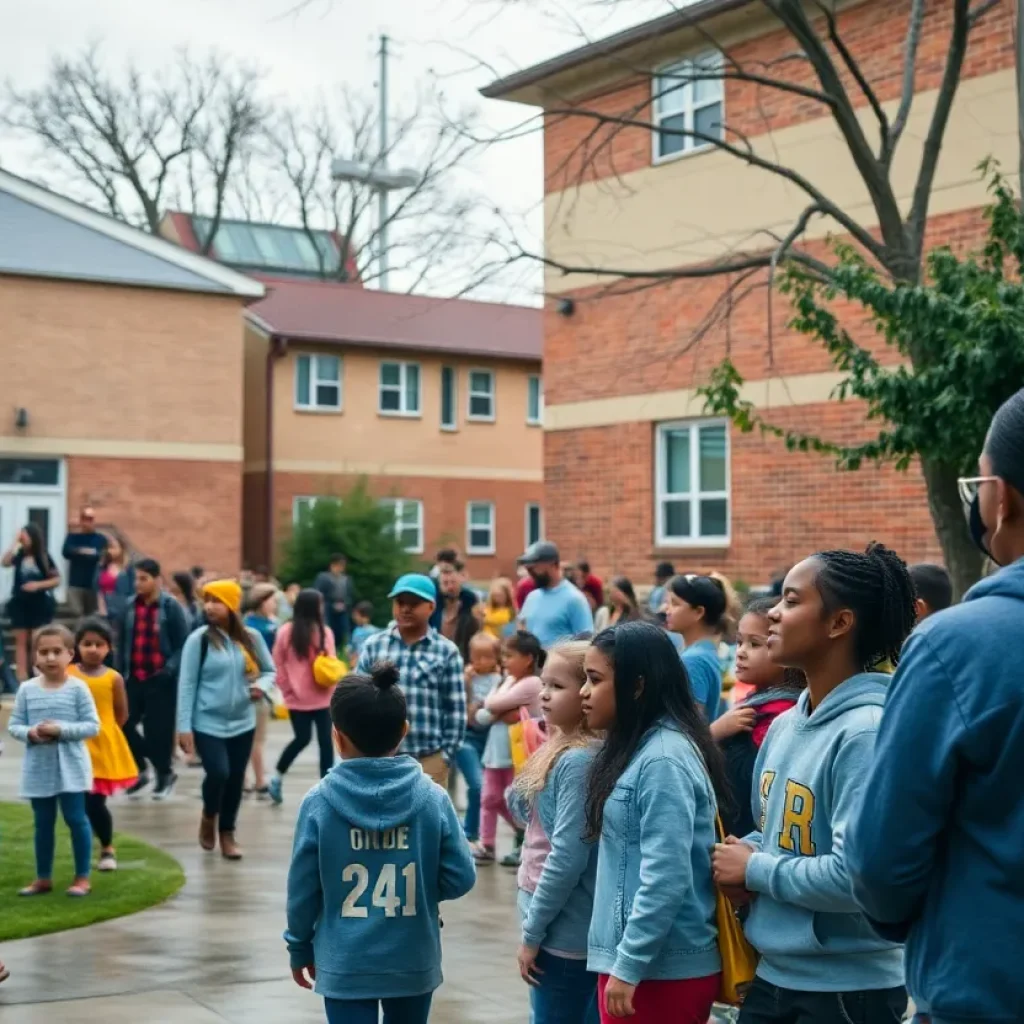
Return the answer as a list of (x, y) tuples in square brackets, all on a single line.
[(371, 710)]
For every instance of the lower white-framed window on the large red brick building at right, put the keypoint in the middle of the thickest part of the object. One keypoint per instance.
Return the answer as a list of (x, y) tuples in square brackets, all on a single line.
[(692, 485)]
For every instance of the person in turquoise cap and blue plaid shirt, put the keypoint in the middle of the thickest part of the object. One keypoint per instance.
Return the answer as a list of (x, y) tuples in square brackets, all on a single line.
[(431, 675)]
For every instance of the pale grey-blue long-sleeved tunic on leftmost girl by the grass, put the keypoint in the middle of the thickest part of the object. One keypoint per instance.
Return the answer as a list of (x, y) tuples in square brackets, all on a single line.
[(64, 764)]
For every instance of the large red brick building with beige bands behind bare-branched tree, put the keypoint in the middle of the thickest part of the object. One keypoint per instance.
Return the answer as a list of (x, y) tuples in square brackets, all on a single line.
[(634, 471)]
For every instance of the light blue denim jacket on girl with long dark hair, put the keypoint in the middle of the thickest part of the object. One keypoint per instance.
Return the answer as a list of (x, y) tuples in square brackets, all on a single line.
[(655, 897)]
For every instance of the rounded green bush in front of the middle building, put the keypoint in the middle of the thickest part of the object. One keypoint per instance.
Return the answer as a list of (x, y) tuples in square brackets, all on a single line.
[(354, 525)]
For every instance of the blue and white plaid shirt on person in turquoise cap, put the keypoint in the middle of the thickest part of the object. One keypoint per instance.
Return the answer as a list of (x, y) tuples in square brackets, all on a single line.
[(432, 676)]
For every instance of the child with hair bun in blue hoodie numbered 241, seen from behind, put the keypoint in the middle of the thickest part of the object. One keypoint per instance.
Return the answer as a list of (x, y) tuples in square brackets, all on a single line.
[(378, 846)]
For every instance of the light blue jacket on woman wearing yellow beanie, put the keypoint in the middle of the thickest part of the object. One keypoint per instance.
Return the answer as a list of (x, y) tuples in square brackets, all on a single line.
[(214, 692)]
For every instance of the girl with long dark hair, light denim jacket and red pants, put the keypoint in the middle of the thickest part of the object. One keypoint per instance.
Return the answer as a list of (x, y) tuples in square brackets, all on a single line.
[(652, 802)]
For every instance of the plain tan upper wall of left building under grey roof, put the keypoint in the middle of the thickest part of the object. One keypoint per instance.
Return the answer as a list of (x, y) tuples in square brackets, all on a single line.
[(108, 371)]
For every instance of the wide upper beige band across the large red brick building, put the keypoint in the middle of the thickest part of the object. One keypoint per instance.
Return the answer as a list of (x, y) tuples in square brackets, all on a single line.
[(705, 205)]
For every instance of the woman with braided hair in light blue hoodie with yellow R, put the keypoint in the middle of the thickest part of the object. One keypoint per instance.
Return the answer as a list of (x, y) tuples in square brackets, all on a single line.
[(842, 614)]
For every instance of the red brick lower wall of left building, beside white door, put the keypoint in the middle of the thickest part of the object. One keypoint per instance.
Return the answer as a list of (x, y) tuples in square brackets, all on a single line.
[(182, 514)]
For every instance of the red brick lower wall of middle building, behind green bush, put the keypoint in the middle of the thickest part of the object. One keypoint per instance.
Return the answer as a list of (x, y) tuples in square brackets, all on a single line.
[(444, 510)]
